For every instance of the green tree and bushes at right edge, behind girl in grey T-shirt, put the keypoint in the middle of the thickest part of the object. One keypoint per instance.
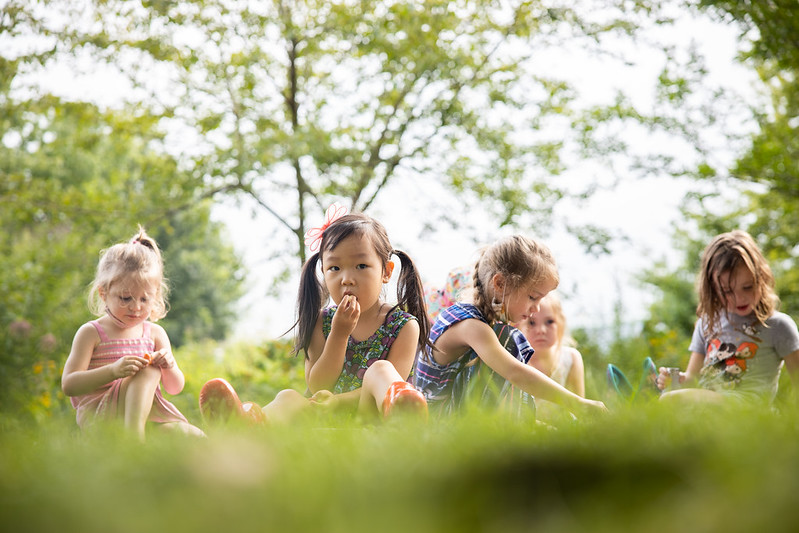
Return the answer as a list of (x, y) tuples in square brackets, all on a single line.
[(760, 190)]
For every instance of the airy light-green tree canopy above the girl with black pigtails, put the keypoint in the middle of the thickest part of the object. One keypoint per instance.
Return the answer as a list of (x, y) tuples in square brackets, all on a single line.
[(293, 104)]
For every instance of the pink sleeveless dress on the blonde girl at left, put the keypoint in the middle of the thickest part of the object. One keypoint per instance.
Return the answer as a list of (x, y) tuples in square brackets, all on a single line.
[(102, 404)]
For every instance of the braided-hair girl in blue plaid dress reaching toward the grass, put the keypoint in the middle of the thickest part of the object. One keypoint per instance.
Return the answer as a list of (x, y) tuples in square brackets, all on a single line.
[(475, 353)]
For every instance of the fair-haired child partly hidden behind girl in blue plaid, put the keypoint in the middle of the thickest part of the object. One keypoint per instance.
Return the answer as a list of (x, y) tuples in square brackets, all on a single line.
[(555, 354)]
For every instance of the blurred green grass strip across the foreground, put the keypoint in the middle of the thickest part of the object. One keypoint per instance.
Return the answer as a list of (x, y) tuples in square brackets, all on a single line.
[(636, 469)]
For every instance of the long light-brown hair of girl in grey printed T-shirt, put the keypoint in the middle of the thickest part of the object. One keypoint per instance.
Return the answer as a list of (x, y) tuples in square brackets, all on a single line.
[(723, 255)]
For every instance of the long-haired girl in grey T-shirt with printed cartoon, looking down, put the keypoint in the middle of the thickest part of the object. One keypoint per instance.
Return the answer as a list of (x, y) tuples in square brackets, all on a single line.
[(741, 340)]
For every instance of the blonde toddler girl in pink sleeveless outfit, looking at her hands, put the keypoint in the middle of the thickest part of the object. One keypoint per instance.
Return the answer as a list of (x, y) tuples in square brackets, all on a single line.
[(118, 362)]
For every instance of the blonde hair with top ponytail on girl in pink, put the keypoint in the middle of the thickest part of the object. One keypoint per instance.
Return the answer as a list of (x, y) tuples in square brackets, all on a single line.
[(138, 260)]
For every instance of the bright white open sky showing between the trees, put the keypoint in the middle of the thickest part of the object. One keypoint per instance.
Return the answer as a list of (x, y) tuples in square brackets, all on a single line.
[(641, 212)]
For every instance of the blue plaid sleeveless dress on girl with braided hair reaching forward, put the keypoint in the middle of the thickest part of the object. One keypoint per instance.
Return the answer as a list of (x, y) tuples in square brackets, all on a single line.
[(467, 379)]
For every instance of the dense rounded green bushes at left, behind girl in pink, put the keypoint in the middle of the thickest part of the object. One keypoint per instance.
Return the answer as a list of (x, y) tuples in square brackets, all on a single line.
[(75, 179)]
